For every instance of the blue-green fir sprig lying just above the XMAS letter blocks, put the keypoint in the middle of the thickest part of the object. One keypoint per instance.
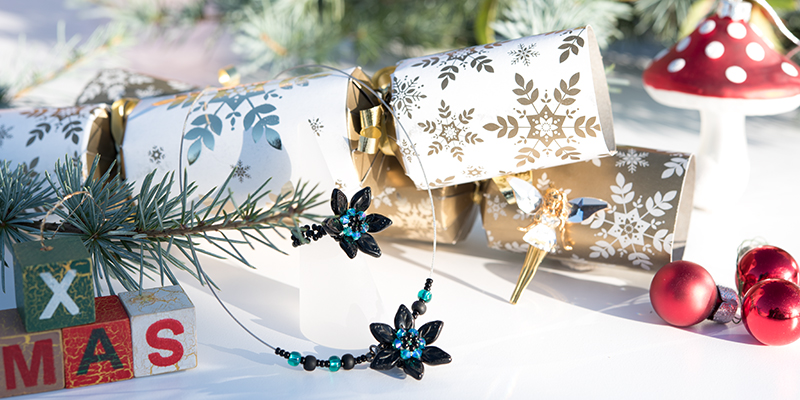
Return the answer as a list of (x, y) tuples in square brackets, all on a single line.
[(129, 233)]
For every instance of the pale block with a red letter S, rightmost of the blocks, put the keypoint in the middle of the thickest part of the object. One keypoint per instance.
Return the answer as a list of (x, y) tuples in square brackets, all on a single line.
[(163, 328)]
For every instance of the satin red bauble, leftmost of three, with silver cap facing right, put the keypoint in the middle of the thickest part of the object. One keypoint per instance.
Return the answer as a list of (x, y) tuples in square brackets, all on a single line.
[(683, 293)]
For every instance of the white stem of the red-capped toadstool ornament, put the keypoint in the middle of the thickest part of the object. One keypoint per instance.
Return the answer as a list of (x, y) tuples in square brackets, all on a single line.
[(723, 166)]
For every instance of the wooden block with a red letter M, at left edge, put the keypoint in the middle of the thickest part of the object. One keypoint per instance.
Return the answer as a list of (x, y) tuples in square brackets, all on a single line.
[(29, 362)]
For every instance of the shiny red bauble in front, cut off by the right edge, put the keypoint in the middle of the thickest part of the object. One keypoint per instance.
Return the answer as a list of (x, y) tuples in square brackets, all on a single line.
[(771, 312)]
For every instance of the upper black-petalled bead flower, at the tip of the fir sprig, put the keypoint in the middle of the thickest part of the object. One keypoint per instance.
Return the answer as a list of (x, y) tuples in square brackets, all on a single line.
[(351, 226)]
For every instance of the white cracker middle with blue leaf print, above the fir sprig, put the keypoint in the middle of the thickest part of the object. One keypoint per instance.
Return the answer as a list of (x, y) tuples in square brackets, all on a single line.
[(256, 131)]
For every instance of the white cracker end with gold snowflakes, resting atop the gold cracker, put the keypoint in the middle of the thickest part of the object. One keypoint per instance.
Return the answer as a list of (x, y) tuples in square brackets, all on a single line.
[(503, 108)]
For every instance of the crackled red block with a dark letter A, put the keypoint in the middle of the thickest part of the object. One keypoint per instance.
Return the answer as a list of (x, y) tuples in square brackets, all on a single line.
[(99, 352)]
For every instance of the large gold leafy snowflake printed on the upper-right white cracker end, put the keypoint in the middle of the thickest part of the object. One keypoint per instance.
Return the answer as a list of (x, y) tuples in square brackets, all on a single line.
[(542, 131)]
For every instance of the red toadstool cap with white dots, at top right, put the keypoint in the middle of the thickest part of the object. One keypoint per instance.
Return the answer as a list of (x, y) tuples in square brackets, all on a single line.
[(724, 58)]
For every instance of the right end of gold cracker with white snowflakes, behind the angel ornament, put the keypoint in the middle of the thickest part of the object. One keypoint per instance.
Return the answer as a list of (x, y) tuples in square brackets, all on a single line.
[(650, 201)]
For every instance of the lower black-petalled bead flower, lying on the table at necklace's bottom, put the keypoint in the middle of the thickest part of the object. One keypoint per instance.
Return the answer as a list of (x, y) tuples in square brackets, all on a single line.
[(406, 347)]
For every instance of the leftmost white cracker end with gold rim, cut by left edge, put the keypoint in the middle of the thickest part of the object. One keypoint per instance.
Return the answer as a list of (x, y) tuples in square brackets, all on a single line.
[(38, 137)]
